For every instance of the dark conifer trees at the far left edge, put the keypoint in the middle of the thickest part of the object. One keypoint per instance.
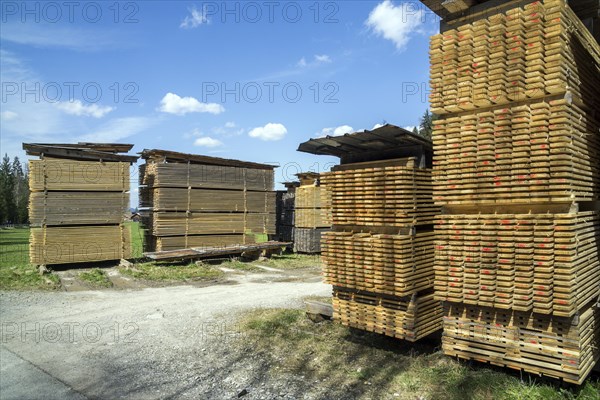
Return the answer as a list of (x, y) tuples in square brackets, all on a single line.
[(14, 192)]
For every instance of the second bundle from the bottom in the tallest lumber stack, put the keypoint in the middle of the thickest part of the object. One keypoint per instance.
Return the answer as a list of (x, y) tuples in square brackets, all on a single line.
[(545, 263)]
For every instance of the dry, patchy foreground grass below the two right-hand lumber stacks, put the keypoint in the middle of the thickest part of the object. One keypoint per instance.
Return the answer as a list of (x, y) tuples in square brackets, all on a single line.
[(355, 364)]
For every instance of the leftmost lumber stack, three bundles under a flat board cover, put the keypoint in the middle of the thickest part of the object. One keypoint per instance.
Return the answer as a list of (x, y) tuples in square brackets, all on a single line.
[(78, 198)]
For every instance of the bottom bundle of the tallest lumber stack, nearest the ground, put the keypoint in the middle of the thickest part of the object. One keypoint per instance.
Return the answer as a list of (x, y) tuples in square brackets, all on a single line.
[(554, 346)]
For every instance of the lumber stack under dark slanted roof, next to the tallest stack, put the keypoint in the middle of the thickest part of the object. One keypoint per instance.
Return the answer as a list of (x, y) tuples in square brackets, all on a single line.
[(379, 254)]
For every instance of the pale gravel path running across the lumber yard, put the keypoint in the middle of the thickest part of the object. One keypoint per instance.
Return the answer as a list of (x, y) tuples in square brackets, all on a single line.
[(149, 343)]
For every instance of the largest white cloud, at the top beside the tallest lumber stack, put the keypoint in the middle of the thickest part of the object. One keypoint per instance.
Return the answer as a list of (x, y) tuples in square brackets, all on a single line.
[(395, 23)]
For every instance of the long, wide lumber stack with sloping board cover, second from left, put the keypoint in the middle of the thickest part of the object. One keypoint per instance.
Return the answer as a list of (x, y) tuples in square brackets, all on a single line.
[(194, 201)]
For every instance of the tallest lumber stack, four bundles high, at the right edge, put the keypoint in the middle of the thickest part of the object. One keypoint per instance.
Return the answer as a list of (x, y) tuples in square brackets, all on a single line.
[(517, 171)]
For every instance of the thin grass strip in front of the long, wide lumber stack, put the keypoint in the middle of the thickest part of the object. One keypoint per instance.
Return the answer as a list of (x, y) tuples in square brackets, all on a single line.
[(152, 271)]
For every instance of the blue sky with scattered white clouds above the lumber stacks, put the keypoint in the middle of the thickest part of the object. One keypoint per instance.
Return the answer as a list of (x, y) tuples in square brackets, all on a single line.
[(244, 80)]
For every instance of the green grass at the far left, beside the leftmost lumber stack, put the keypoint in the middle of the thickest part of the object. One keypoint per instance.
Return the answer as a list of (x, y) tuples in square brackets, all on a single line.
[(16, 273)]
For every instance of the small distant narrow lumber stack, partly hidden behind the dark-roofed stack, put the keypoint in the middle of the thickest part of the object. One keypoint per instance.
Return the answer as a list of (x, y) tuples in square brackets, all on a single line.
[(311, 214)]
